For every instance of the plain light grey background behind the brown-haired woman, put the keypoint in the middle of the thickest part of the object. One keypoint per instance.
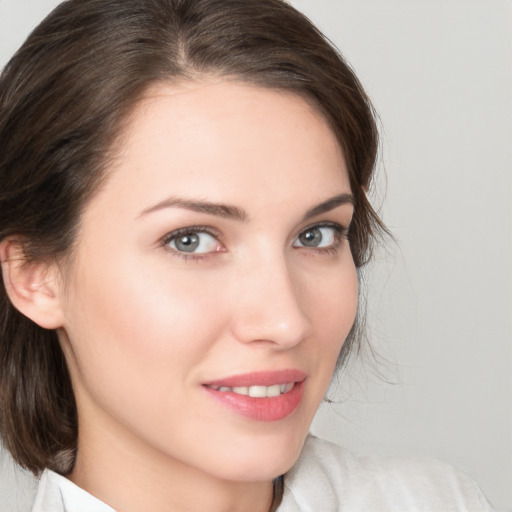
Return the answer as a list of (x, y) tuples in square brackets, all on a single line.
[(439, 301)]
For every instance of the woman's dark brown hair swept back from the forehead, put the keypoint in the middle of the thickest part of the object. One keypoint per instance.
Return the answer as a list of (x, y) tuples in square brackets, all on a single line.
[(63, 98)]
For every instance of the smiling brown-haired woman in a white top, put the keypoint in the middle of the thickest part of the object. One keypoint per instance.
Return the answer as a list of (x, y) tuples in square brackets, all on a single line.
[(184, 213)]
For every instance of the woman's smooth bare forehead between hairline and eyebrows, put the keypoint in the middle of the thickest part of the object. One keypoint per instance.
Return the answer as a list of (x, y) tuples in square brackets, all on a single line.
[(219, 138)]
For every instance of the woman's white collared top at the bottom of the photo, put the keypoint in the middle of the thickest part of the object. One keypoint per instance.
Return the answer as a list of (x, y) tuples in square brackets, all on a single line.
[(327, 478)]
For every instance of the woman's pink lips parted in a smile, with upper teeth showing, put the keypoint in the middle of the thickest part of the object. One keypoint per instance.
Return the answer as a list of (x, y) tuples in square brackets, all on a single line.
[(261, 396)]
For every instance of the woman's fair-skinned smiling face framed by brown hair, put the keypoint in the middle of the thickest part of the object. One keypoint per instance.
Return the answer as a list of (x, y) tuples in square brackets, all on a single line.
[(211, 266)]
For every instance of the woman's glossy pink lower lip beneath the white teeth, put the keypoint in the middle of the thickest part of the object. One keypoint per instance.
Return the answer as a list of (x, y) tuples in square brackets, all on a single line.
[(261, 409)]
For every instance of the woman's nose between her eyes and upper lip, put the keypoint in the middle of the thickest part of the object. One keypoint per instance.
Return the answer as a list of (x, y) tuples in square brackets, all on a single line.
[(270, 306)]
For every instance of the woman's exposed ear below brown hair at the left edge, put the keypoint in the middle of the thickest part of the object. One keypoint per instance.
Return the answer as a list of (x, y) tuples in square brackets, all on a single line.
[(34, 288)]
